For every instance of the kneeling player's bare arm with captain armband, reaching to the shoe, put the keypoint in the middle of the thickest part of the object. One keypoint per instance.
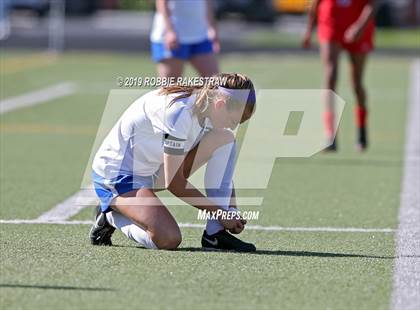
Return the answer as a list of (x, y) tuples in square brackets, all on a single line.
[(178, 185)]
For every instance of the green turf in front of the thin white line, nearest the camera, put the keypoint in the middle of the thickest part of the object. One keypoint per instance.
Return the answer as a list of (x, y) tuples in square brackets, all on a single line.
[(52, 266)]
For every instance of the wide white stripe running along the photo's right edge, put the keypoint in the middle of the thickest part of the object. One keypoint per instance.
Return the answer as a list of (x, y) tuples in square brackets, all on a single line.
[(406, 288)]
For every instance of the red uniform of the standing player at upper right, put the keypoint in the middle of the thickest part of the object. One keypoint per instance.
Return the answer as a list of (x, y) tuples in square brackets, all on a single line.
[(336, 16)]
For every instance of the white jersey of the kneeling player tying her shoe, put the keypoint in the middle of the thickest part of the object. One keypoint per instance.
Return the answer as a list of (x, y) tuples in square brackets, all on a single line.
[(135, 145)]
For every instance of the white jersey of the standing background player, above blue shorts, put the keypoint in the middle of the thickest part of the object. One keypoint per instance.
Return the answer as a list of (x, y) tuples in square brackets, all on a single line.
[(189, 19)]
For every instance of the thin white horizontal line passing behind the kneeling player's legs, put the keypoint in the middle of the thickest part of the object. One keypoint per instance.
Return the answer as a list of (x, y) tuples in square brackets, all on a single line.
[(201, 226)]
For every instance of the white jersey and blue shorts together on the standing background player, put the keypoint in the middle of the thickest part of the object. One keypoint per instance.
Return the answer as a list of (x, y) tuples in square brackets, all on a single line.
[(189, 19)]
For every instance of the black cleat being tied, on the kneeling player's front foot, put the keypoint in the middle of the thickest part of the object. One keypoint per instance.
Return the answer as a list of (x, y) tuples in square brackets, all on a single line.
[(223, 240)]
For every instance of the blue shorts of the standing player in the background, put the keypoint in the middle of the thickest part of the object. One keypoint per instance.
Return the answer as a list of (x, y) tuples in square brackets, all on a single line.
[(184, 51)]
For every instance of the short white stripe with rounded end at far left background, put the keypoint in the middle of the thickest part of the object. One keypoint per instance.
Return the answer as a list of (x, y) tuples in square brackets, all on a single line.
[(38, 96)]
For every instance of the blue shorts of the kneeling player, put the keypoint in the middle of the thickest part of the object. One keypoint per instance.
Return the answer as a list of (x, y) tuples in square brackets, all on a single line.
[(107, 190)]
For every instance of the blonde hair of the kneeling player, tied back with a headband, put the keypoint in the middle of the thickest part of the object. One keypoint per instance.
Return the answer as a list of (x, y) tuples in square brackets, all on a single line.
[(206, 92)]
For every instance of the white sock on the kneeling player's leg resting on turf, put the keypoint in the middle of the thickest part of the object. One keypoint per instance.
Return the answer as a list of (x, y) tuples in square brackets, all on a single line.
[(130, 229)]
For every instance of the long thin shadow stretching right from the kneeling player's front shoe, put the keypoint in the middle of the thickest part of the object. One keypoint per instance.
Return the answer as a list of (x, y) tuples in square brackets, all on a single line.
[(291, 253)]
